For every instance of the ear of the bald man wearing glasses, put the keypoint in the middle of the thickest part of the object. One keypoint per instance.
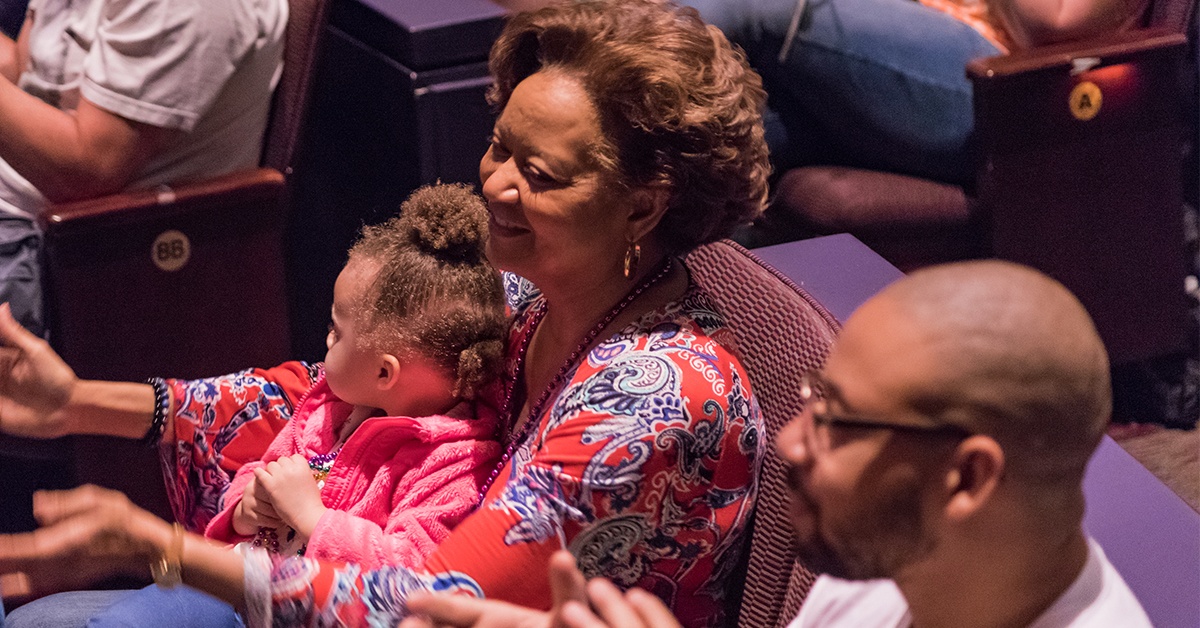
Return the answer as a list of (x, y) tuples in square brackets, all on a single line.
[(974, 476)]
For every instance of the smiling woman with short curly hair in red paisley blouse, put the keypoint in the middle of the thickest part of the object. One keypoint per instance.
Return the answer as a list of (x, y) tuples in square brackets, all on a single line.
[(629, 134)]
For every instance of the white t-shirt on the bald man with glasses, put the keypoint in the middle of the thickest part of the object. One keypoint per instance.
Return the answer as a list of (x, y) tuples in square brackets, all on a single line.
[(1097, 599)]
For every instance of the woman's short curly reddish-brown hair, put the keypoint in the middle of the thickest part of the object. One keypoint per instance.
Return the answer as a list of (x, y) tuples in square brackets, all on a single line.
[(679, 105)]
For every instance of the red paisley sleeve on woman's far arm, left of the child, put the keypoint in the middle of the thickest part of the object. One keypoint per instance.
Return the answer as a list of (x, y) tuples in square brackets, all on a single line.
[(219, 426)]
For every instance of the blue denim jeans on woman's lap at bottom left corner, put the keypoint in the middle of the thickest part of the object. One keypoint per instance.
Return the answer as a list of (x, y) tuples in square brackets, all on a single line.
[(151, 607)]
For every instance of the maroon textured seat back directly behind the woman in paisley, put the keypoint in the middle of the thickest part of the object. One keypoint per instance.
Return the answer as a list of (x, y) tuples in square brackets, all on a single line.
[(782, 333)]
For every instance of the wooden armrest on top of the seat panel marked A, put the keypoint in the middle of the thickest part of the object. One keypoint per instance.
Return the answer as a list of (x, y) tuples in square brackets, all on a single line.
[(1113, 49)]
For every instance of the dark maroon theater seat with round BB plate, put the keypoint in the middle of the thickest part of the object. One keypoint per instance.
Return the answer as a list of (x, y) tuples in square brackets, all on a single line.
[(183, 282)]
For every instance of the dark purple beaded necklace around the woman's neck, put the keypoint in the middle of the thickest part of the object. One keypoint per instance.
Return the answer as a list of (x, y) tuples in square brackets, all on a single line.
[(535, 416)]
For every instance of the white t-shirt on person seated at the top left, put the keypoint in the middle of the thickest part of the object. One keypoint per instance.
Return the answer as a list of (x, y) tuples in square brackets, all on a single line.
[(207, 68)]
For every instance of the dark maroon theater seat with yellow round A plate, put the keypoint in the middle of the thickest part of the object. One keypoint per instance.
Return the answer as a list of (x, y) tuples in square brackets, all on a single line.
[(1091, 198)]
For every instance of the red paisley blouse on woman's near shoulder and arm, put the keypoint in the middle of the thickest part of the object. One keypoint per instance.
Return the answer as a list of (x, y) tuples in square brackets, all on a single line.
[(644, 466)]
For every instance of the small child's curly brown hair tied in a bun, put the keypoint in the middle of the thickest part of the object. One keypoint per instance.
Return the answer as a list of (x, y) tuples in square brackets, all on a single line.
[(435, 294)]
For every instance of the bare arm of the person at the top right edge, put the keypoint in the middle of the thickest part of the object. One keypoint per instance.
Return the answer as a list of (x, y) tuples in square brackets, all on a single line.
[(1042, 22)]
